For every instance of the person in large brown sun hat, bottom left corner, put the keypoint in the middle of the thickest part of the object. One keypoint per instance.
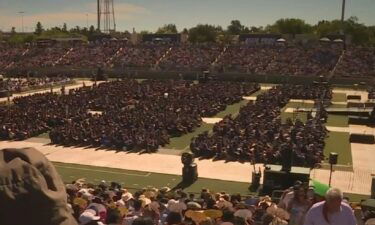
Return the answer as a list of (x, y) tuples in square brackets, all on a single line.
[(31, 187)]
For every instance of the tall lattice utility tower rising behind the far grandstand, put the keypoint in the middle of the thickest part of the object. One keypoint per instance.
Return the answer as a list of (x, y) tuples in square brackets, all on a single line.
[(106, 16)]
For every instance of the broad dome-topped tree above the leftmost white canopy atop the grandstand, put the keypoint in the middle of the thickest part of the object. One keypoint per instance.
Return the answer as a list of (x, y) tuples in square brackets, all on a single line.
[(290, 26)]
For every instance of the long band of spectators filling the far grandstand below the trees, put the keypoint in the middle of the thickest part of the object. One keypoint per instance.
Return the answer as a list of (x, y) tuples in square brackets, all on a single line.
[(275, 59)]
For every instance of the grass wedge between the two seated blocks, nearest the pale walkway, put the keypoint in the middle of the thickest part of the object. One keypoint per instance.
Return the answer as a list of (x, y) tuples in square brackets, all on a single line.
[(183, 142)]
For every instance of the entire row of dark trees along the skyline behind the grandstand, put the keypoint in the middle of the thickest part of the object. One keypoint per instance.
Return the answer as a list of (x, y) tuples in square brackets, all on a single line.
[(359, 32)]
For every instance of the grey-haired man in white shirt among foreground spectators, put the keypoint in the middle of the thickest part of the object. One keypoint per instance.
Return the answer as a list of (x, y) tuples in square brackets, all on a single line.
[(332, 211)]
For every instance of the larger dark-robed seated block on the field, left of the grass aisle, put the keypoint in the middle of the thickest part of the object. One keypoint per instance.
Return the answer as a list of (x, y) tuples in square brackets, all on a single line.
[(126, 115)]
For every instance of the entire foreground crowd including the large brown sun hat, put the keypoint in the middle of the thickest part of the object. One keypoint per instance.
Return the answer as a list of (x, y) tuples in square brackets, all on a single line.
[(29, 179)]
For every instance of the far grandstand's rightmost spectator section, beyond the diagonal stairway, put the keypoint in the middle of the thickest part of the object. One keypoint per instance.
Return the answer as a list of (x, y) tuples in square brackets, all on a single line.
[(357, 62)]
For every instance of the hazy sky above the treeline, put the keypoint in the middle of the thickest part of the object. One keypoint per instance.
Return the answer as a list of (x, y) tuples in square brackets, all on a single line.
[(151, 14)]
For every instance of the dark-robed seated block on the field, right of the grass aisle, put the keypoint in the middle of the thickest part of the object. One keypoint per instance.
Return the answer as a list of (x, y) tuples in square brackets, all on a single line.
[(258, 135)]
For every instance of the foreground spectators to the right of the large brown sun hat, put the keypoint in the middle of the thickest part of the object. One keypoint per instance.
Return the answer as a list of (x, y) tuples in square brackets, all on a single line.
[(112, 205)]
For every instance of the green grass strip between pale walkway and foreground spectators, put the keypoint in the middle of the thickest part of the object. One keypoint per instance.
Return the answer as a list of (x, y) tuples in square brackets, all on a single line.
[(137, 180)]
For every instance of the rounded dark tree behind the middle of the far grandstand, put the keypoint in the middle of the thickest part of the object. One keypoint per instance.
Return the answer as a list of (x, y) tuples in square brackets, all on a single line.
[(204, 33)]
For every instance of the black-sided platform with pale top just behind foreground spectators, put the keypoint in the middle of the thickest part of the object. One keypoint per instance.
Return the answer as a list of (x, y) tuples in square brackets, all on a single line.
[(275, 179)]
